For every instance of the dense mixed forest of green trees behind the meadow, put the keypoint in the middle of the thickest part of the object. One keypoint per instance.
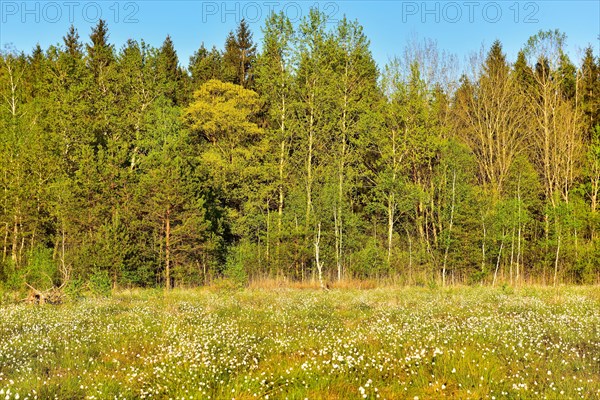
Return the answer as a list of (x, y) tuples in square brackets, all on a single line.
[(297, 158)]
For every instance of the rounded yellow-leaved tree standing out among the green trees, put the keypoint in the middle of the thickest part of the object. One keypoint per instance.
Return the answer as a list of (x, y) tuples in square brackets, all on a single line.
[(222, 117)]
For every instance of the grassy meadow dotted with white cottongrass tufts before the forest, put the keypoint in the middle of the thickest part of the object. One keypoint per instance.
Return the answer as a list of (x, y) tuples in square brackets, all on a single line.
[(380, 343)]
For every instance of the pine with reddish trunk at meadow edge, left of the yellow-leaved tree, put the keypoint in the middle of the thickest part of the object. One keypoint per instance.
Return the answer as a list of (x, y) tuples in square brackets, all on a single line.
[(168, 196)]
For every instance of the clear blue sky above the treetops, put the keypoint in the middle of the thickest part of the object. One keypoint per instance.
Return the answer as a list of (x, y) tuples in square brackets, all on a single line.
[(459, 27)]
